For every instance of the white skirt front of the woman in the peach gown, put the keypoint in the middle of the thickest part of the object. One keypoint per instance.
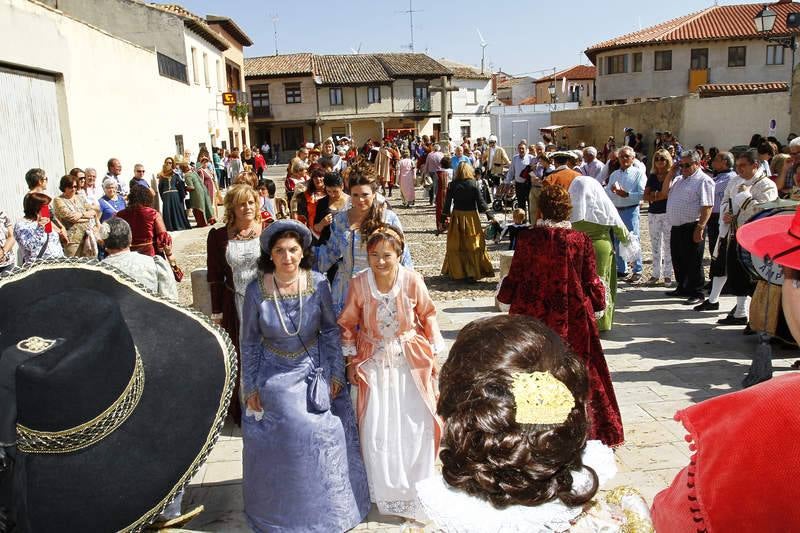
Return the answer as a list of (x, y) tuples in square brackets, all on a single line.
[(396, 438)]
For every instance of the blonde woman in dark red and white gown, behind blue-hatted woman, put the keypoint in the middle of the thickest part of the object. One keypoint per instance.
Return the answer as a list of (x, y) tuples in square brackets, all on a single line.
[(232, 257)]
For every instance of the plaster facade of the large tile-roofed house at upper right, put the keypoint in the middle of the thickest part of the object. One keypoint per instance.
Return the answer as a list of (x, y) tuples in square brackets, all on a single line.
[(650, 83)]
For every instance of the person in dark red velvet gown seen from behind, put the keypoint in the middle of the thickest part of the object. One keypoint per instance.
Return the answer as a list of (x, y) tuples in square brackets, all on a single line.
[(553, 278)]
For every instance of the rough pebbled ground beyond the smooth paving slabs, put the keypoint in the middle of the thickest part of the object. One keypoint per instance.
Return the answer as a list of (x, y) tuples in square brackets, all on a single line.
[(427, 249)]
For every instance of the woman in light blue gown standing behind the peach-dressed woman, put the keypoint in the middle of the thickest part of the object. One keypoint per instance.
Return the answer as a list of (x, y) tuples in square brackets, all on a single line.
[(367, 212)]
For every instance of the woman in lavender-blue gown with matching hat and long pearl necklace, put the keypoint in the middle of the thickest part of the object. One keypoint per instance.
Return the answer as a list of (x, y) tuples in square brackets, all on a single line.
[(303, 470)]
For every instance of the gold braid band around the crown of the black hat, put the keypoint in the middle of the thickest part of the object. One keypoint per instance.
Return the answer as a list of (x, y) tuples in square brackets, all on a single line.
[(91, 432)]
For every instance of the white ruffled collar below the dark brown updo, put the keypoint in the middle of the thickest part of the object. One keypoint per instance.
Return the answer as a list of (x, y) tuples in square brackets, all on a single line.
[(454, 511)]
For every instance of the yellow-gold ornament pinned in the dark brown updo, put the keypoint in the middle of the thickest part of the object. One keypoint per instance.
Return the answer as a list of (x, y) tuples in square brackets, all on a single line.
[(541, 398)]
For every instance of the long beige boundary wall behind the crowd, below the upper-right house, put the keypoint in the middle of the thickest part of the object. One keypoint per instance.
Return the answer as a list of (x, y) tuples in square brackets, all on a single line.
[(723, 122)]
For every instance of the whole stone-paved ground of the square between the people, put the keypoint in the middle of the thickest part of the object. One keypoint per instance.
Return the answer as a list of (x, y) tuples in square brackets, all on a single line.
[(663, 357)]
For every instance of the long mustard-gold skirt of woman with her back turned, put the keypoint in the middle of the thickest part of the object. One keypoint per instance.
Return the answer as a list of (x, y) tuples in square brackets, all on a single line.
[(466, 255)]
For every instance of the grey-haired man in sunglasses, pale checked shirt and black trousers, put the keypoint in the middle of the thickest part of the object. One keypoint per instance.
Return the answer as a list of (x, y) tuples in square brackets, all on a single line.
[(691, 199)]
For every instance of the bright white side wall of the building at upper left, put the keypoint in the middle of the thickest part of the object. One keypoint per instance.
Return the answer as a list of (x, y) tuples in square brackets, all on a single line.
[(113, 101)]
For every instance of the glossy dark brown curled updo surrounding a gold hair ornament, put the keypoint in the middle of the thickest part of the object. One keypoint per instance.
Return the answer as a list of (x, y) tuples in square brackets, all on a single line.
[(486, 453)]
